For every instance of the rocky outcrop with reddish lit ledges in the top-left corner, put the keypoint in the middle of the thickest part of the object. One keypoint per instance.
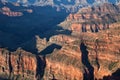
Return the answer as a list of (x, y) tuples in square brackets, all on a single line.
[(11, 9)]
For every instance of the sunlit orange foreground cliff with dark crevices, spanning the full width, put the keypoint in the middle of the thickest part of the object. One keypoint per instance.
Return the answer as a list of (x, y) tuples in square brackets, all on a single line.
[(90, 56)]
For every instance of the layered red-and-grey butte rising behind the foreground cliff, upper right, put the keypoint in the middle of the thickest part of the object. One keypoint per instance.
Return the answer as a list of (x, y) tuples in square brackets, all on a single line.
[(92, 19)]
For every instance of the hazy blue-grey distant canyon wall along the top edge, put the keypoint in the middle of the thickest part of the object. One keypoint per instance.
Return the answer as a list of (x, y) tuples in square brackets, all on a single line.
[(68, 5)]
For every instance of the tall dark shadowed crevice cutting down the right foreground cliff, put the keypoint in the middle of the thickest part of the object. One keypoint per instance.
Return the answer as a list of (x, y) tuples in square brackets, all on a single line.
[(89, 72)]
